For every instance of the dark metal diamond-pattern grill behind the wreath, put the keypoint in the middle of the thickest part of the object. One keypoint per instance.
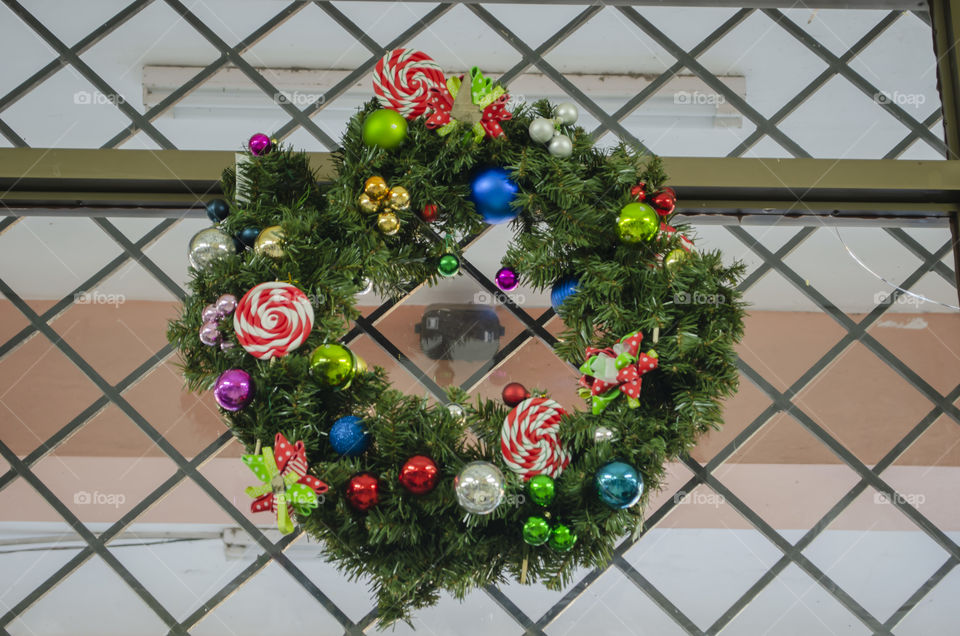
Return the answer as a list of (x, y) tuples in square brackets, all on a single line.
[(534, 326)]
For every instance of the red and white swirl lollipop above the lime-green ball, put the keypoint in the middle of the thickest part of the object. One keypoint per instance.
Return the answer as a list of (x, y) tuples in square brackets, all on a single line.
[(403, 78)]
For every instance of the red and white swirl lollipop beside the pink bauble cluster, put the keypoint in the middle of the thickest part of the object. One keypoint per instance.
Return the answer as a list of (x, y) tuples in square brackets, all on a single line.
[(272, 319)]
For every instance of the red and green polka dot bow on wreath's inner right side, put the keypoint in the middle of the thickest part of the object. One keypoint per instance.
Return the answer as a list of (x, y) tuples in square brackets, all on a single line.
[(620, 366)]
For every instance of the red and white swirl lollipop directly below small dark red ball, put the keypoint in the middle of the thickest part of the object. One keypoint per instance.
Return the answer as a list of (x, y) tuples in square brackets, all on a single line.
[(529, 439)]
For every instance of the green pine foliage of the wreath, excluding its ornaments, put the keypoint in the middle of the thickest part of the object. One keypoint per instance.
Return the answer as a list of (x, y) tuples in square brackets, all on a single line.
[(412, 547)]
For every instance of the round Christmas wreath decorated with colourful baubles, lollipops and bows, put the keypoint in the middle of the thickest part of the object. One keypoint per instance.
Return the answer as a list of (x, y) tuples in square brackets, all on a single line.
[(418, 497)]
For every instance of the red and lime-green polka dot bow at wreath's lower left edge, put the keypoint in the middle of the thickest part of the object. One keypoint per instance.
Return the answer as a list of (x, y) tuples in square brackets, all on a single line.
[(286, 485)]
